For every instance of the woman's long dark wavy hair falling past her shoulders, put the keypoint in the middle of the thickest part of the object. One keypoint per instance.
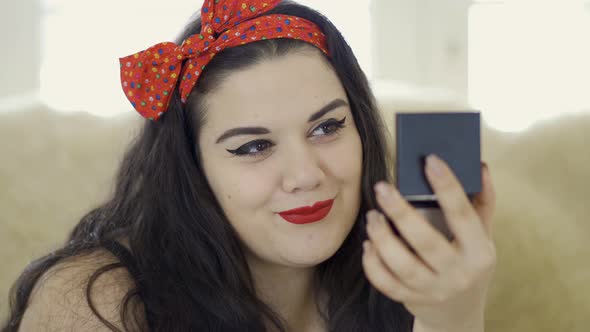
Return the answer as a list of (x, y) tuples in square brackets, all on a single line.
[(194, 276)]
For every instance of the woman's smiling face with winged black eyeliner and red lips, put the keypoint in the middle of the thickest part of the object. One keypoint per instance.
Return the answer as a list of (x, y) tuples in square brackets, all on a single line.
[(292, 159)]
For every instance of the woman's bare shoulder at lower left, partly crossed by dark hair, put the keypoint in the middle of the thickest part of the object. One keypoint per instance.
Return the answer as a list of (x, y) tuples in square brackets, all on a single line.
[(59, 300)]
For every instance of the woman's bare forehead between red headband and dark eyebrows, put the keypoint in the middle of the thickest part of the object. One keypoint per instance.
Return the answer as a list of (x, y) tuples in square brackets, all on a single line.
[(286, 87)]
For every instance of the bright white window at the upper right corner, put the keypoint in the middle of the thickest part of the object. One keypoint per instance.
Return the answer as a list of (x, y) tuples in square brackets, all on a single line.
[(528, 60)]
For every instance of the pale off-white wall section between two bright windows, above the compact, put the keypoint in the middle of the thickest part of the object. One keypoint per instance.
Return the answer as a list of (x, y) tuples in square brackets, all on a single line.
[(422, 42)]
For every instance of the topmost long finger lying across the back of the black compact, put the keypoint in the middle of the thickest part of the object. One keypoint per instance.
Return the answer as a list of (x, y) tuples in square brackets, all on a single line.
[(460, 215)]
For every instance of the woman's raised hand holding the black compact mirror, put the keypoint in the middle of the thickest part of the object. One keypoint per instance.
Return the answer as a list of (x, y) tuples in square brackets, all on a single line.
[(444, 285)]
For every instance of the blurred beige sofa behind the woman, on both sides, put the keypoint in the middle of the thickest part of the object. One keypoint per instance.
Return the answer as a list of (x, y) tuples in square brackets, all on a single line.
[(56, 166)]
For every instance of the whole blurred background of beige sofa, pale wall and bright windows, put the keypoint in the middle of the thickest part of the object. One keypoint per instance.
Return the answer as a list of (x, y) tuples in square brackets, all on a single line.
[(524, 64)]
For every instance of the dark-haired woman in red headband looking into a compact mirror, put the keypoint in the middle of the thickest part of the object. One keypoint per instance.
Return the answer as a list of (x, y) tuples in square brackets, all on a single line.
[(245, 201)]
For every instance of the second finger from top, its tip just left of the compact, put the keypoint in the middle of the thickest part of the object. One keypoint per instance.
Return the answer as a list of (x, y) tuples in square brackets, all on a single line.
[(429, 243)]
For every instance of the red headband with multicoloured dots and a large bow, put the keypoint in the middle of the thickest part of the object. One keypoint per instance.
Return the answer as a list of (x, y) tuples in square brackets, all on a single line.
[(150, 76)]
